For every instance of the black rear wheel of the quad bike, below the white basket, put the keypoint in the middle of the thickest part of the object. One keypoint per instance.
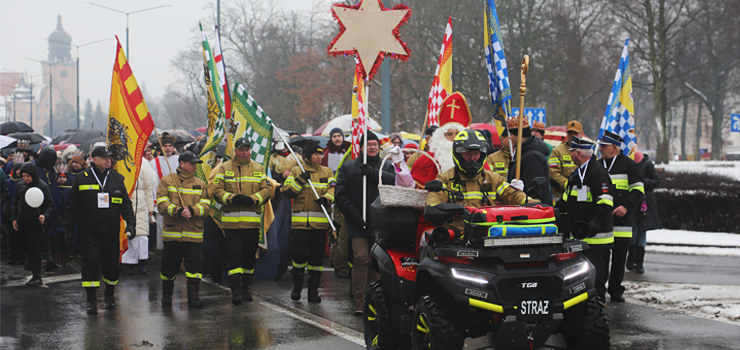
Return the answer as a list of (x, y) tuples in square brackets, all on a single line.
[(377, 324)]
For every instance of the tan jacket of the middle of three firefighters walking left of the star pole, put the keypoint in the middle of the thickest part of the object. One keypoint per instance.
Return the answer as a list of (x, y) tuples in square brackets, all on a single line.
[(241, 176)]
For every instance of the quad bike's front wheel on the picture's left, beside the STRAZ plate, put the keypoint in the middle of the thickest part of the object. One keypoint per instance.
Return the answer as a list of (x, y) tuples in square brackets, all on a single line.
[(432, 329)]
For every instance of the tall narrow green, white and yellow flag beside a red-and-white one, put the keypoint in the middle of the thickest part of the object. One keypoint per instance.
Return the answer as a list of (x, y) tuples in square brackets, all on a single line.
[(216, 119)]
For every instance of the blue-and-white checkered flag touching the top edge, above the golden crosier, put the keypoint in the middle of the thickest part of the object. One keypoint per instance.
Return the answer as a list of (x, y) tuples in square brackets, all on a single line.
[(498, 76)]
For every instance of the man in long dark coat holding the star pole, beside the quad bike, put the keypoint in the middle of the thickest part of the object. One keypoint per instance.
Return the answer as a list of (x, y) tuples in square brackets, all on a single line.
[(349, 200)]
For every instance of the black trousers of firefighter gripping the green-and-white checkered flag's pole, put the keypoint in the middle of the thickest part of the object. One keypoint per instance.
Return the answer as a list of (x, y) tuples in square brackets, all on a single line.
[(307, 248)]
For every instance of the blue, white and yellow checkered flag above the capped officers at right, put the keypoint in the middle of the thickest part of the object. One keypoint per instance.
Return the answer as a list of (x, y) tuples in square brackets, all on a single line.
[(619, 117)]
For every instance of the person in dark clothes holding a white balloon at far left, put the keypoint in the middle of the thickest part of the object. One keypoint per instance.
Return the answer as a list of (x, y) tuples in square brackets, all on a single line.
[(32, 208)]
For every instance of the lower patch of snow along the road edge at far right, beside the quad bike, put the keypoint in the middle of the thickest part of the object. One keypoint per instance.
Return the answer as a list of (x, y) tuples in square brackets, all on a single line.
[(720, 303)]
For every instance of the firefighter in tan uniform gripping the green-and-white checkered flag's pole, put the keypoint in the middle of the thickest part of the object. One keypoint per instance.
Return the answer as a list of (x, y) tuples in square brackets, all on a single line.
[(309, 224)]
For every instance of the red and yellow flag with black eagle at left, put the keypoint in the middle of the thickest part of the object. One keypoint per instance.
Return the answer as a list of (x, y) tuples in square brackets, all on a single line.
[(129, 126)]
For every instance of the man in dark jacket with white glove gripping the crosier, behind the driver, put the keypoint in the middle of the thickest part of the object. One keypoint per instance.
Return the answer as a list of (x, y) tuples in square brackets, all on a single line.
[(534, 162)]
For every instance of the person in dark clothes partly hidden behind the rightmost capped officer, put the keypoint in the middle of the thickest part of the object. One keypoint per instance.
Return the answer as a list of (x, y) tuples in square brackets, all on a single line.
[(647, 218)]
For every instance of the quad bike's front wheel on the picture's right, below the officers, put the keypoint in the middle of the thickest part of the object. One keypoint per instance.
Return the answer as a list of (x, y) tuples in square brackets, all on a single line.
[(586, 326)]
